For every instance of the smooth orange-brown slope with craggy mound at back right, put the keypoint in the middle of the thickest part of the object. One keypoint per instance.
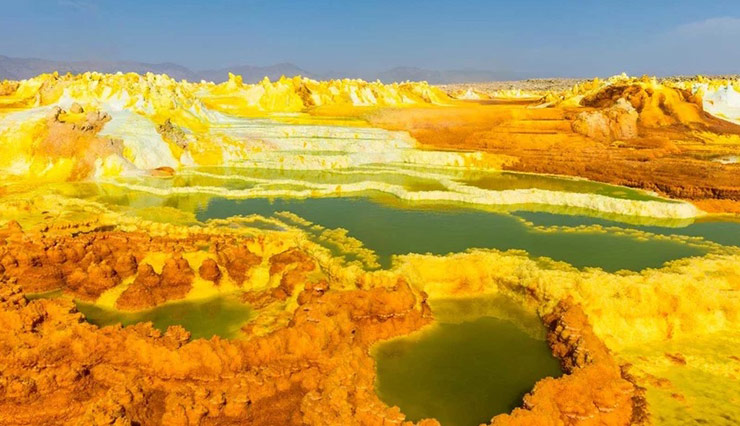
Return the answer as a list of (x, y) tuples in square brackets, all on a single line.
[(636, 134)]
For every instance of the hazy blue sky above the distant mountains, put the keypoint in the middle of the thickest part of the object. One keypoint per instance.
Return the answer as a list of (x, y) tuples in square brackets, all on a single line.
[(579, 38)]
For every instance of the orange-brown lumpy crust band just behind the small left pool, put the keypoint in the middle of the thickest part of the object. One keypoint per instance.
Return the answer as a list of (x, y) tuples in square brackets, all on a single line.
[(86, 265)]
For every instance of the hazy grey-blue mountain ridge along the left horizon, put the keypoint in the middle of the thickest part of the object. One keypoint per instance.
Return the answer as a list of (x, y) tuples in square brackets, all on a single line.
[(23, 68)]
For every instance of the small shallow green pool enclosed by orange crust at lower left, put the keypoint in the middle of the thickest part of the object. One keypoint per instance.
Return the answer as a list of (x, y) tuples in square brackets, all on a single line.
[(221, 316)]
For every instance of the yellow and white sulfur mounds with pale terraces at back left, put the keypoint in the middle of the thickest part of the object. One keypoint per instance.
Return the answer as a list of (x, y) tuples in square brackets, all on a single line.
[(156, 123)]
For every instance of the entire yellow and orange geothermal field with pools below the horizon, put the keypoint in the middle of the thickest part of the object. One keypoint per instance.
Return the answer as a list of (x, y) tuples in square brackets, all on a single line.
[(342, 252)]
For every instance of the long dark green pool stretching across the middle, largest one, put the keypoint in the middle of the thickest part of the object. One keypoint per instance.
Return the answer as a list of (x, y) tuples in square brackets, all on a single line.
[(389, 230)]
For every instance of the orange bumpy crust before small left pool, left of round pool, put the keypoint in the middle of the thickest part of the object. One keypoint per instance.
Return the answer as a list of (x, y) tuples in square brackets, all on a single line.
[(315, 370)]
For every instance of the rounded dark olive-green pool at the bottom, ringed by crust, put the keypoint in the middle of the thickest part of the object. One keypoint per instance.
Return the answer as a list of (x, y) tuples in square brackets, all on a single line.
[(461, 374)]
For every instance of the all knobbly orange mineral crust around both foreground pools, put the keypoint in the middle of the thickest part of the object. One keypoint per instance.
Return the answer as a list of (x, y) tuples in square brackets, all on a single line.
[(314, 368)]
